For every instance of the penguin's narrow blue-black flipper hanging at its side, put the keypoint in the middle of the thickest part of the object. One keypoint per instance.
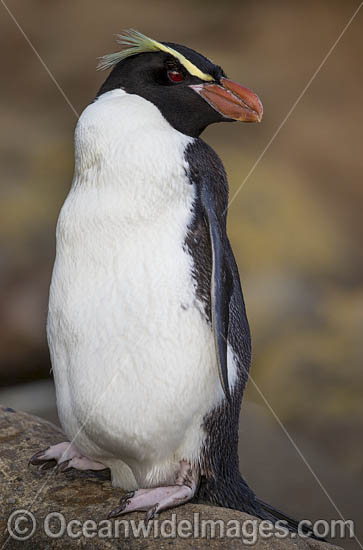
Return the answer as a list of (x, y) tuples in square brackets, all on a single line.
[(221, 287)]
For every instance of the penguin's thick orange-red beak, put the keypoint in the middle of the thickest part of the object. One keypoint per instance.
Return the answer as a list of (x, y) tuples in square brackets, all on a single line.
[(231, 100)]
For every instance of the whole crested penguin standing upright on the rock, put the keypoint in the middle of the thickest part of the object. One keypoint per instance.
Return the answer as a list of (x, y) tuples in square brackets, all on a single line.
[(147, 328)]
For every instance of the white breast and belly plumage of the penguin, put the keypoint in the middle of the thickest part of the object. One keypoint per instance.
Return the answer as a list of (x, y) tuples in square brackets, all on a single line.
[(133, 356)]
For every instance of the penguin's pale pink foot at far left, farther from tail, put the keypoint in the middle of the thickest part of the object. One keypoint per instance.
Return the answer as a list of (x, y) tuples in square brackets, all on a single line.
[(64, 457)]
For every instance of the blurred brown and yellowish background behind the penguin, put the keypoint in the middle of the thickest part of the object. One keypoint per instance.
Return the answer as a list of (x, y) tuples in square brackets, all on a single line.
[(296, 226)]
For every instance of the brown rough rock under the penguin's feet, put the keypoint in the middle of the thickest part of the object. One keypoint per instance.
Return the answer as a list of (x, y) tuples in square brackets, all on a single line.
[(83, 496)]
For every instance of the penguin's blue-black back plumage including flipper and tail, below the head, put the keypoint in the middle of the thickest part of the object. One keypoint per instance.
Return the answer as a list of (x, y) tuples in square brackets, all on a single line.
[(221, 482)]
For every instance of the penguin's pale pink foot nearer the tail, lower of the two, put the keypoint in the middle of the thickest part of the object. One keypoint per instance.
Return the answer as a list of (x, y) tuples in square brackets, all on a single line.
[(156, 499)]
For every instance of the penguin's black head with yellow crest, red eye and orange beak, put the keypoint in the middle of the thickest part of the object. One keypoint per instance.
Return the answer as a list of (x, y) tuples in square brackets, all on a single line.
[(189, 90)]
